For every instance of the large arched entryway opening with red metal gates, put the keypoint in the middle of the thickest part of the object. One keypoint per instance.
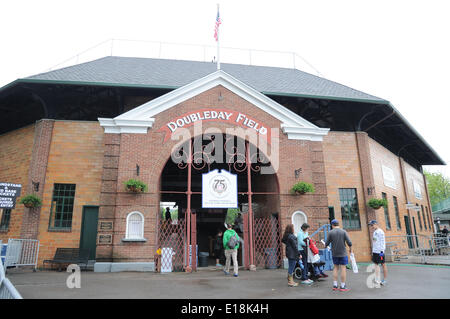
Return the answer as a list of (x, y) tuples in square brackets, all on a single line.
[(183, 222)]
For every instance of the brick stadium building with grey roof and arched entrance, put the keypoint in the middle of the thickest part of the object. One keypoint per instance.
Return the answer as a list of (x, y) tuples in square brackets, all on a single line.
[(73, 137)]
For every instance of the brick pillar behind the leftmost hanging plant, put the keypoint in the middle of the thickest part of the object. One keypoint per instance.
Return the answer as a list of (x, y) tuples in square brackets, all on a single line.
[(38, 169)]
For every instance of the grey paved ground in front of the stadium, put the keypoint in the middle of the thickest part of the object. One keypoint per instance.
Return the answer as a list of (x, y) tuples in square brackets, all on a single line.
[(404, 282)]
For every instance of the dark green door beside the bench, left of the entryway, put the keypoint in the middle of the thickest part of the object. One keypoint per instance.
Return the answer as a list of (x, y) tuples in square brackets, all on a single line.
[(88, 239)]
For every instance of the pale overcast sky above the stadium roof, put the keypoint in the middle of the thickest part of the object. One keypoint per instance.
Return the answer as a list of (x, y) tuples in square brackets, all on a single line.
[(396, 50)]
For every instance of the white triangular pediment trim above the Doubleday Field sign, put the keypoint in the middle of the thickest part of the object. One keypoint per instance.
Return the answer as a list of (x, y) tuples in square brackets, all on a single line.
[(139, 119)]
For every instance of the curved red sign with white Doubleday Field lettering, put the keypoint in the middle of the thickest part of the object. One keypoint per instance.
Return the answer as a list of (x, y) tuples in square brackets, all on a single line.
[(217, 115)]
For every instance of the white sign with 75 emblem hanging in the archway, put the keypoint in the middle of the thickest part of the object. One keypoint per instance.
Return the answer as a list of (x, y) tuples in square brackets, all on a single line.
[(219, 189)]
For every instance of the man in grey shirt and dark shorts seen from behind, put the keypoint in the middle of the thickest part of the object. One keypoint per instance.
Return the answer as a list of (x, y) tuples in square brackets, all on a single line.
[(338, 237)]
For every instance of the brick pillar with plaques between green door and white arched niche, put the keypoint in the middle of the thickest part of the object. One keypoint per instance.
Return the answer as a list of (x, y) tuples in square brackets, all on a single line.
[(108, 194)]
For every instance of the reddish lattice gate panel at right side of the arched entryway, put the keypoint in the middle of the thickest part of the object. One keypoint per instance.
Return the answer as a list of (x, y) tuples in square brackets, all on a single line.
[(267, 242)]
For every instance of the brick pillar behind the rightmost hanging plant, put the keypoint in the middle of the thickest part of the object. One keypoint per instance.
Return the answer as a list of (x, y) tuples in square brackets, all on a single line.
[(365, 162)]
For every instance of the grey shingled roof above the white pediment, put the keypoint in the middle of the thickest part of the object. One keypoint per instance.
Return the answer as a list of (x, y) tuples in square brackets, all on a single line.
[(172, 74)]
